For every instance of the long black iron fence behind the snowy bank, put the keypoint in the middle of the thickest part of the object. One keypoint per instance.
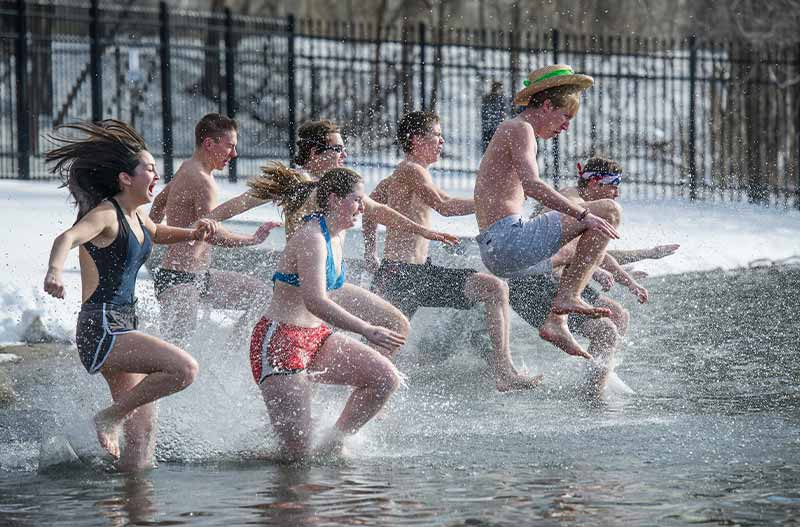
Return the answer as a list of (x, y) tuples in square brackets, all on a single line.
[(691, 118)]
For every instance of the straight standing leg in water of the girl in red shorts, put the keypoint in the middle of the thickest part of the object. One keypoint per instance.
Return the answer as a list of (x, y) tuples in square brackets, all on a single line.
[(288, 400)]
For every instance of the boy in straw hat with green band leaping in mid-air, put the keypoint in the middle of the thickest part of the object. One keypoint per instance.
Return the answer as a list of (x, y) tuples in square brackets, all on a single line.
[(511, 245)]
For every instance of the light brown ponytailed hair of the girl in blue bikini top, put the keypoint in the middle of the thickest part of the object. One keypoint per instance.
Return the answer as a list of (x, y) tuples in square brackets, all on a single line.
[(290, 189)]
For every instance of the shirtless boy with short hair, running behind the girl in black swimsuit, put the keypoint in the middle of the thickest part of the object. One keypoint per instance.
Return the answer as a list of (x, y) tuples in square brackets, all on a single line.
[(185, 279)]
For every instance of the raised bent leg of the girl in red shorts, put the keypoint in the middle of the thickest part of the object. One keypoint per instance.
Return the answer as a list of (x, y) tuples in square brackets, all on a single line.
[(344, 361)]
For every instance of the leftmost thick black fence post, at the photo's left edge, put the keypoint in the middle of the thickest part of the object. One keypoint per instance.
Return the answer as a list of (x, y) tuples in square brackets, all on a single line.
[(23, 89)]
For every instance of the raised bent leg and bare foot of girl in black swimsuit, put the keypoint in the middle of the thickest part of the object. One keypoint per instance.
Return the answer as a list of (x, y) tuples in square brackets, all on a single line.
[(168, 370)]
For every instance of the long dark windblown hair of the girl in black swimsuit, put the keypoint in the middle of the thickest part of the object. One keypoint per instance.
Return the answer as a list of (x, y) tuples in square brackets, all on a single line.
[(89, 165)]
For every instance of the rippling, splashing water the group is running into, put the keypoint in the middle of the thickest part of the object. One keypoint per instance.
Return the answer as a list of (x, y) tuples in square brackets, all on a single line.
[(711, 435)]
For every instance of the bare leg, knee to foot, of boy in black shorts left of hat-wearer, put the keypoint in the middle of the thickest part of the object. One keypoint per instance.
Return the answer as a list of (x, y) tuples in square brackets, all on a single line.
[(493, 293)]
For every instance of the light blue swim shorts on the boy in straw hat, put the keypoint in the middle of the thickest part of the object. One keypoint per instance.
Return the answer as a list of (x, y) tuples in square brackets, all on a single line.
[(515, 247)]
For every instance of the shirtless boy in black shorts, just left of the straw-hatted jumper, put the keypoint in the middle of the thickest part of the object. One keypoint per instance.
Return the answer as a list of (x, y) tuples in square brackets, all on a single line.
[(406, 277)]
